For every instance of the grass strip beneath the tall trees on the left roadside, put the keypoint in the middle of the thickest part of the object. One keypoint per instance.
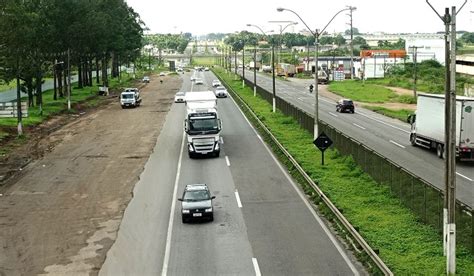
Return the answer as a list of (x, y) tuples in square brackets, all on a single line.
[(85, 97)]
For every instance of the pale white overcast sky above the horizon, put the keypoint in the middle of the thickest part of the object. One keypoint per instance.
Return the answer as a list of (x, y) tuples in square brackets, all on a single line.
[(214, 16)]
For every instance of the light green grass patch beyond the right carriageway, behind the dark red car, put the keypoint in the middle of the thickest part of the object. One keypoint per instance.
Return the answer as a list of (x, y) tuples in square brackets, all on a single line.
[(369, 92)]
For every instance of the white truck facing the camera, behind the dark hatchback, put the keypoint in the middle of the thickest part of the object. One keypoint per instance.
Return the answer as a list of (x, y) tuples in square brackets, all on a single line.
[(202, 124)]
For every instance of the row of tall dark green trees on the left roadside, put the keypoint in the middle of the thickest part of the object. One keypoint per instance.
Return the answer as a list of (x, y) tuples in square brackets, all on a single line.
[(43, 37)]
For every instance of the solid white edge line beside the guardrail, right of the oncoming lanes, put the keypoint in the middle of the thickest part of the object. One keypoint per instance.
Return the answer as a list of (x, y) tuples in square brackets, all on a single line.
[(305, 201)]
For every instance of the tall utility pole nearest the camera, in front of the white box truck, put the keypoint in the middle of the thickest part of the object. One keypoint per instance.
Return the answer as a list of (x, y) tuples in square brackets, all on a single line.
[(449, 229)]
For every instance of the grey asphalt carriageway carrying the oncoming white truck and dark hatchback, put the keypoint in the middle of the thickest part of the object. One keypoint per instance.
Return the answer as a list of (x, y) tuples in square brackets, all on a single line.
[(262, 222)]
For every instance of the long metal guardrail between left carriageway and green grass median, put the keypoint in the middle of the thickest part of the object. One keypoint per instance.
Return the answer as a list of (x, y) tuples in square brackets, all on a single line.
[(340, 217)]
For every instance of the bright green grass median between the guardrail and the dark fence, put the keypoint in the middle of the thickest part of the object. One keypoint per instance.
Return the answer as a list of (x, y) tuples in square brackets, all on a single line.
[(406, 246)]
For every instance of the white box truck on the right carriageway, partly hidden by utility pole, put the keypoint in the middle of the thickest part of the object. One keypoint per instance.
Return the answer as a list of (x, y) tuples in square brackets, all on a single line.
[(427, 125)]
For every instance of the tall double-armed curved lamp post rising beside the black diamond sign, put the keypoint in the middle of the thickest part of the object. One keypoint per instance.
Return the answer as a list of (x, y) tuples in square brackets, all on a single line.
[(316, 33)]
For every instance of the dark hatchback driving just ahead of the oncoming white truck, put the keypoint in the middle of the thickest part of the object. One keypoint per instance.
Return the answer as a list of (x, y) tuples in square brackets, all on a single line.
[(196, 203)]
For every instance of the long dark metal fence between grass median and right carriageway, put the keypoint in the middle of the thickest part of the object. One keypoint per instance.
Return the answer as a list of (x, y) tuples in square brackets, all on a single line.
[(424, 199)]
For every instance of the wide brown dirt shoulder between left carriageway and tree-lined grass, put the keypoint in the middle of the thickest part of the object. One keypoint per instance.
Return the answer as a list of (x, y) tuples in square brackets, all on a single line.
[(61, 214)]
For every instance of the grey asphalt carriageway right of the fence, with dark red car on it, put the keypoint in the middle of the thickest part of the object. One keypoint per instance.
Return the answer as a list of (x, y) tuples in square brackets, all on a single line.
[(389, 137)]
